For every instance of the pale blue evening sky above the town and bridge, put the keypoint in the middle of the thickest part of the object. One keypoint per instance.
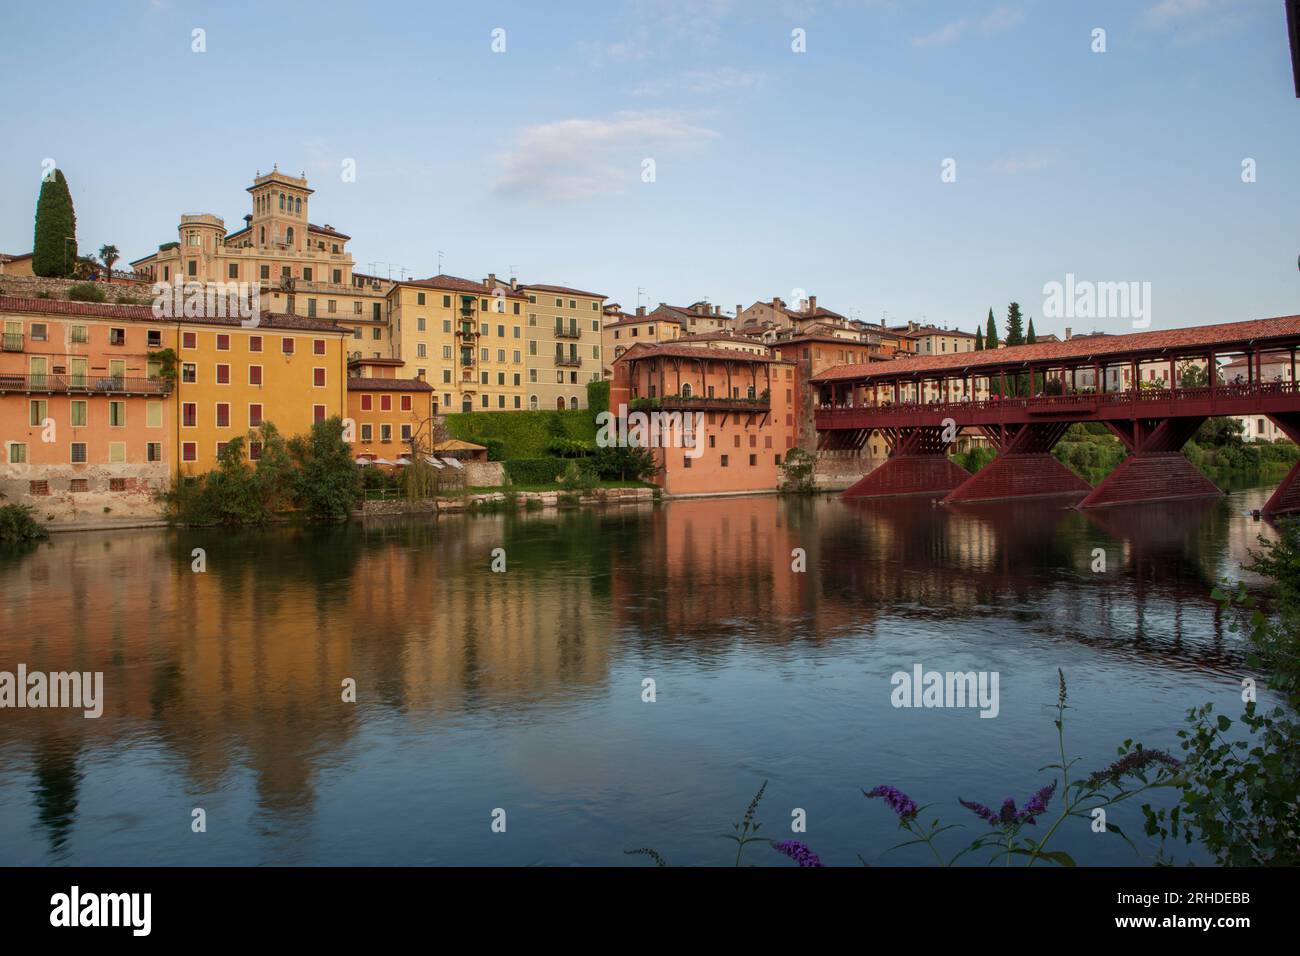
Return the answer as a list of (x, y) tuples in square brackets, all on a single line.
[(900, 159)]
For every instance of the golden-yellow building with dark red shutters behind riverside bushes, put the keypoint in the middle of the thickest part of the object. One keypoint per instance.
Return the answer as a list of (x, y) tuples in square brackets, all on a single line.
[(231, 379)]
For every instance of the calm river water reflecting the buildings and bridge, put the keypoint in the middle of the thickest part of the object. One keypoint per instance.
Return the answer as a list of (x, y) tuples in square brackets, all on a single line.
[(523, 690)]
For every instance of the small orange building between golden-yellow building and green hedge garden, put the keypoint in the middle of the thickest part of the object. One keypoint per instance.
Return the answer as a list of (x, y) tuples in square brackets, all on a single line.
[(388, 412)]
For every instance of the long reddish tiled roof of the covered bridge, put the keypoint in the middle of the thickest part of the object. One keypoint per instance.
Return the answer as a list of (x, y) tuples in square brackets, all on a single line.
[(1082, 351)]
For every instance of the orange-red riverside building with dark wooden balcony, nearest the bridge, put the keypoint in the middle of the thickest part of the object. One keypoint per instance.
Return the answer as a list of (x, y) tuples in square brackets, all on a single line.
[(742, 408)]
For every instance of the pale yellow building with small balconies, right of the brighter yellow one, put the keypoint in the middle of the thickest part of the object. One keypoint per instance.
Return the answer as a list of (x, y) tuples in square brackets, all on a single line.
[(565, 345)]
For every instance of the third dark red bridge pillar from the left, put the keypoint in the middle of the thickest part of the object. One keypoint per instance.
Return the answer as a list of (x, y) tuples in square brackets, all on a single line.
[(1156, 469)]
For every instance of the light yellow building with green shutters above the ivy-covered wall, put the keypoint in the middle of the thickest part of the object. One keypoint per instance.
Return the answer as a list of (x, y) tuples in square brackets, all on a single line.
[(466, 339)]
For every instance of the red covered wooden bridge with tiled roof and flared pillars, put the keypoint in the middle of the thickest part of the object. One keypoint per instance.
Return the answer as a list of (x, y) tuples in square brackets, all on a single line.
[(1151, 390)]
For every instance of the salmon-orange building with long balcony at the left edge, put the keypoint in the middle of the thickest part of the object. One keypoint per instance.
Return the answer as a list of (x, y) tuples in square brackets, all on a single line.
[(83, 406)]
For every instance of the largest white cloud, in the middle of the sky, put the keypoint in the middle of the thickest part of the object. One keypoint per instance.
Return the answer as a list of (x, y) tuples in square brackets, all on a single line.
[(571, 161)]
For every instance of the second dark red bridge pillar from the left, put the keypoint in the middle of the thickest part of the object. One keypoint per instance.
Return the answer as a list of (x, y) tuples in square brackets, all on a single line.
[(1025, 466)]
